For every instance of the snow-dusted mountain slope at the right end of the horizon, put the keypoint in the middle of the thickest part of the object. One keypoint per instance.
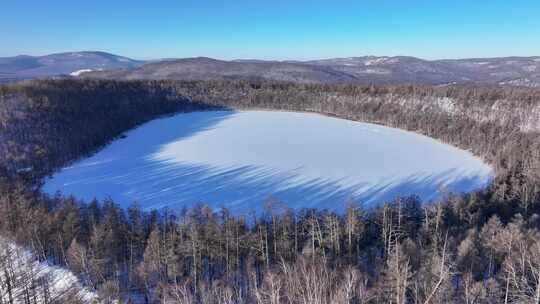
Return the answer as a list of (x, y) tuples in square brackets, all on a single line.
[(510, 70)]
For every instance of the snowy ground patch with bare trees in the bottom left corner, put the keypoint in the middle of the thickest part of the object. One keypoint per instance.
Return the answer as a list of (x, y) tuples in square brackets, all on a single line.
[(23, 277)]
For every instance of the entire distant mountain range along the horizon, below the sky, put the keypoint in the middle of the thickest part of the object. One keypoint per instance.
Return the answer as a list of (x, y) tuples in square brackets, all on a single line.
[(522, 71)]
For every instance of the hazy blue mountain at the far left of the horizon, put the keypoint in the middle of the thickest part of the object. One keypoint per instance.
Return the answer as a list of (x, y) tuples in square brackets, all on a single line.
[(24, 67)]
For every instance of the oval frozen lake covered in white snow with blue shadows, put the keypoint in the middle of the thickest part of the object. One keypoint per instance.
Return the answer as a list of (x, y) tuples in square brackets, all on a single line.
[(241, 160)]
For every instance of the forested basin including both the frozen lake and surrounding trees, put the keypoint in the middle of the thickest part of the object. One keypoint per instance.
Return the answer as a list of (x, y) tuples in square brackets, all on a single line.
[(85, 136)]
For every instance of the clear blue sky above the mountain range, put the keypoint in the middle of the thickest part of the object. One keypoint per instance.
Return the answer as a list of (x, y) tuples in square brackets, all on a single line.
[(288, 29)]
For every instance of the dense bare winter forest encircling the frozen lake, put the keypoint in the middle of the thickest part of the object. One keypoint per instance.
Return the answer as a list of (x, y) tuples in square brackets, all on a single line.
[(480, 247)]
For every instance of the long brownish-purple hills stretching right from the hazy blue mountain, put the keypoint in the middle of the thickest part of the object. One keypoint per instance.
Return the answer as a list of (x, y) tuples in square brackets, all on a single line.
[(369, 69)]
